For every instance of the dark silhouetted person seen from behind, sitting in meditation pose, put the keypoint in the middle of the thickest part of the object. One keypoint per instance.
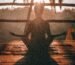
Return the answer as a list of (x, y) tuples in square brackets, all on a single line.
[(39, 38)]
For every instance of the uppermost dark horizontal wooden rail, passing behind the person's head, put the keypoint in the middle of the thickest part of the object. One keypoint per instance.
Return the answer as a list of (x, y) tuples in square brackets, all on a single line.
[(46, 4)]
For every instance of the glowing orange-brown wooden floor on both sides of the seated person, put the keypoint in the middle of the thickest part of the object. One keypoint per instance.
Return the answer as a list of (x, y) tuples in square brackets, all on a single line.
[(62, 53)]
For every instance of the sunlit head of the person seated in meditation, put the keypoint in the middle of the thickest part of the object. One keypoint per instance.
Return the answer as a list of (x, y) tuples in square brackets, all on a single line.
[(38, 9)]
